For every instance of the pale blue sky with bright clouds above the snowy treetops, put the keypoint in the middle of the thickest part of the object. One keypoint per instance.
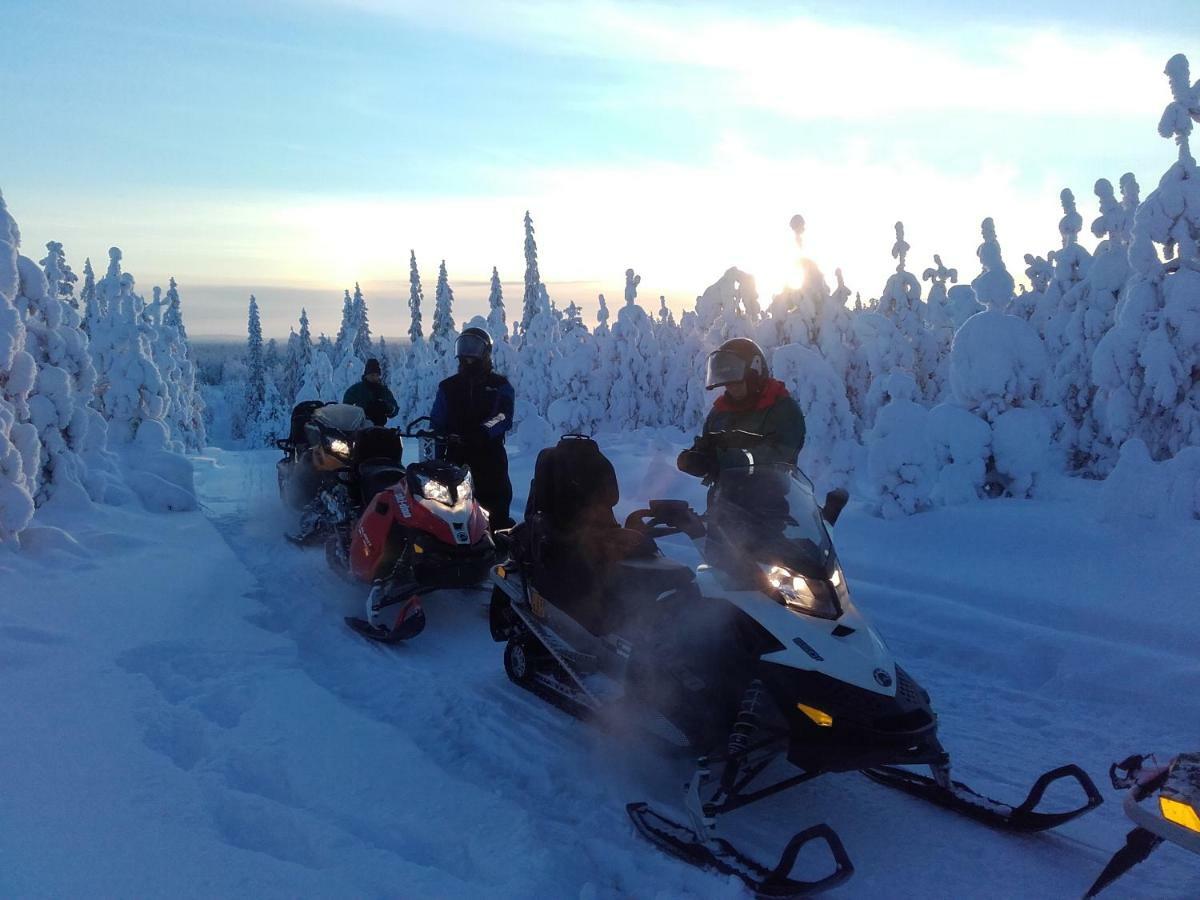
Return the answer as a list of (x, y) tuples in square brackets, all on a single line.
[(291, 149)]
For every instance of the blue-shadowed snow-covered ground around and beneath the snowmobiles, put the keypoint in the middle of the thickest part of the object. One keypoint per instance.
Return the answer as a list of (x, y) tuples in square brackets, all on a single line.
[(184, 713)]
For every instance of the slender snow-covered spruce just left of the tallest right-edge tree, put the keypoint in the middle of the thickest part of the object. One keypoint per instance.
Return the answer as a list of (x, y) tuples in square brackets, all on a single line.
[(1093, 303)]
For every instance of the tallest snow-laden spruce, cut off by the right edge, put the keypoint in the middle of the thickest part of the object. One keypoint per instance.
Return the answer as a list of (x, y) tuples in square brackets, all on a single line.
[(1148, 367)]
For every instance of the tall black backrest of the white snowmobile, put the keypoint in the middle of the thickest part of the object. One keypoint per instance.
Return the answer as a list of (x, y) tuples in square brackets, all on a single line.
[(574, 485)]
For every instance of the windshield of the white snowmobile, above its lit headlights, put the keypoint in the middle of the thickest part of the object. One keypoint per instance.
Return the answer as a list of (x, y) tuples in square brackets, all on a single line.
[(769, 515)]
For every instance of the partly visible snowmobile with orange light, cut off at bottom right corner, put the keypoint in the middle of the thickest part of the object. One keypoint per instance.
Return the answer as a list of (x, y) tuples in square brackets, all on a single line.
[(1177, 788)]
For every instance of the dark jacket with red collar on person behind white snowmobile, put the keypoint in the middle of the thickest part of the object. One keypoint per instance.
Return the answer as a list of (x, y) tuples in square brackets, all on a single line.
[(772, 415)]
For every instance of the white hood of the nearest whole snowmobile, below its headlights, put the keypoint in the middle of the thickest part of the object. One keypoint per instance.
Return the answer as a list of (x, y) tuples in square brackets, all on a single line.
[(847, 649)]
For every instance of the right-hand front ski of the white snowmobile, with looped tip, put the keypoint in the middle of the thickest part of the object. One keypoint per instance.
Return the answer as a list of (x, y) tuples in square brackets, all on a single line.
[(963, 800)]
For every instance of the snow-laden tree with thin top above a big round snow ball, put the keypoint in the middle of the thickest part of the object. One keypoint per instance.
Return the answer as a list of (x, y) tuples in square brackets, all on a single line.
[(999, 371)]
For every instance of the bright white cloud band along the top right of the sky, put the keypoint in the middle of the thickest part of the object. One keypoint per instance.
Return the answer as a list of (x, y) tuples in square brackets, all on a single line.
[(808, 68)]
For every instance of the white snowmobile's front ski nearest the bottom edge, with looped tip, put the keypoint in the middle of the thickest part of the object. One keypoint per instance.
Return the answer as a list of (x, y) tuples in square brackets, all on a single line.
[(719, 855)]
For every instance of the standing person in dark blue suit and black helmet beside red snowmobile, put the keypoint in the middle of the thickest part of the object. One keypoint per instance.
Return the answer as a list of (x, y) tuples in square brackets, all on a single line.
[(476, 407)]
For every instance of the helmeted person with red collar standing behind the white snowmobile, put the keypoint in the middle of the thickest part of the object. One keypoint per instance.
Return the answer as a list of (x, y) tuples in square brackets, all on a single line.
[(758, 418)]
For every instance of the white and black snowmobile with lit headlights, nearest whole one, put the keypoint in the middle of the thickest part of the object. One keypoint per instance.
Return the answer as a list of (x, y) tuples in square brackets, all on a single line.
[(758, 658)]
